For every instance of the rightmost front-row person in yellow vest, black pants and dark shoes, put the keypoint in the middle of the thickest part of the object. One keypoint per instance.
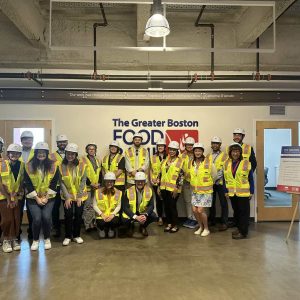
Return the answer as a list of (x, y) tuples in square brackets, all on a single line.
[(239, 188)]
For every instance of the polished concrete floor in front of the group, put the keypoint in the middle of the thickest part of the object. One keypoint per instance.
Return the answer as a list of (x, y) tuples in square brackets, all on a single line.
[(163, 266)]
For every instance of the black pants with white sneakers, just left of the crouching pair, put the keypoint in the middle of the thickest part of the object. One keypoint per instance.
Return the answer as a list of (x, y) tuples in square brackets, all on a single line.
[(73, 220)]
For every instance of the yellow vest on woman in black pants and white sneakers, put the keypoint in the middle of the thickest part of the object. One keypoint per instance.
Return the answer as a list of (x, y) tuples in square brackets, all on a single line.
[(73, 184)]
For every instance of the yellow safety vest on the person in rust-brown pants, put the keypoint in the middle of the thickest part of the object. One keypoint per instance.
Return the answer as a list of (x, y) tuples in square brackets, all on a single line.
[(14, 187)]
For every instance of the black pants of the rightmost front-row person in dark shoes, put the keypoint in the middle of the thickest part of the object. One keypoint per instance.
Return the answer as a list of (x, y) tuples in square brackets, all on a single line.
[(241, 209)]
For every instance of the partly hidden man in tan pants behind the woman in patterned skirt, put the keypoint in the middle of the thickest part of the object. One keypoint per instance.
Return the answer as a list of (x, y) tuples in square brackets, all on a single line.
[(187, 156)]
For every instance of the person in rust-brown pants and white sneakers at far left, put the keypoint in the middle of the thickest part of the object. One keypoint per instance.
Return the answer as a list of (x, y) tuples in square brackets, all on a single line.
[(11, 191)]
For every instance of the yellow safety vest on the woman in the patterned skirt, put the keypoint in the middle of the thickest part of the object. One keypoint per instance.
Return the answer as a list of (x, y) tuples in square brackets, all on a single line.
[(201, 179)]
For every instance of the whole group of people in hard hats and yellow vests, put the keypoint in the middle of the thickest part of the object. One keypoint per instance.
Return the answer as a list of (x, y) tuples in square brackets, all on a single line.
[(119, 191)]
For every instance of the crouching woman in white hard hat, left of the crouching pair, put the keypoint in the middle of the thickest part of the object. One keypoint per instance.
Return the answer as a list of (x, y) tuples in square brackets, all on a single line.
[(107, 205)]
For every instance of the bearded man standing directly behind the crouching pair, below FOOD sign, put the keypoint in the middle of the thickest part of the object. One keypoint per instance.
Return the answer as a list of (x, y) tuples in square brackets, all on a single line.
[(136, 158)]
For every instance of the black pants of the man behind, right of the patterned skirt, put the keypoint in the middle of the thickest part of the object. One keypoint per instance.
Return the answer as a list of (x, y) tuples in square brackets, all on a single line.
[(218, 190)]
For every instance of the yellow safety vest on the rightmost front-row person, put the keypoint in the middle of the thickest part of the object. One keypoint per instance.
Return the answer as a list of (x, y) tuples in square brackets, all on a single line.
[(238, 185)]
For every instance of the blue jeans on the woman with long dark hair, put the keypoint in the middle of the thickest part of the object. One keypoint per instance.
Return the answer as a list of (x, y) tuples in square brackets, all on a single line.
[(41, 218)]
